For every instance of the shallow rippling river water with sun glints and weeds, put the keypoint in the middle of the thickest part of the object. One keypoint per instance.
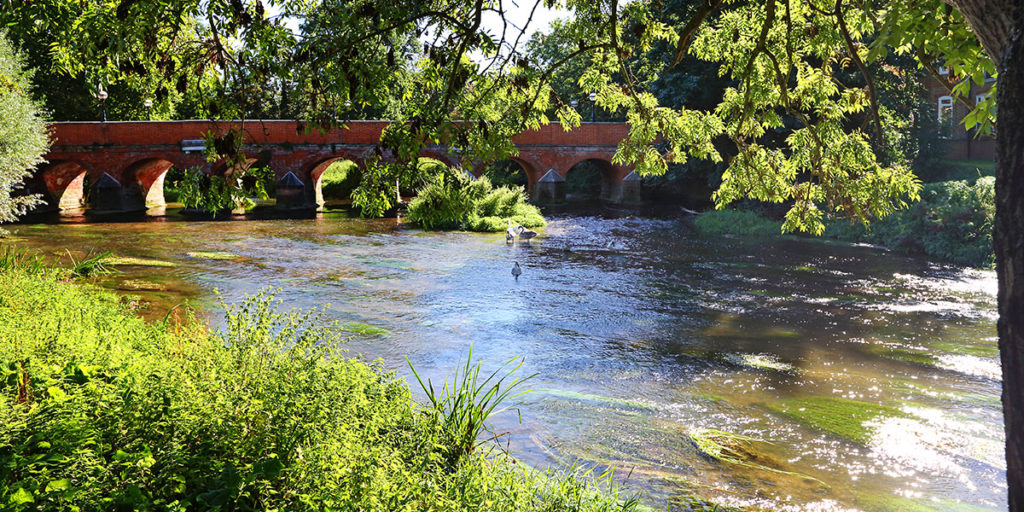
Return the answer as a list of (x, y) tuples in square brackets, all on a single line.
[(871, 379)]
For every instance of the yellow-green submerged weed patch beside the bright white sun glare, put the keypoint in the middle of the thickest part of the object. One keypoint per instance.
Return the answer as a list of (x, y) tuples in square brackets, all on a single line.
[(840, 417)]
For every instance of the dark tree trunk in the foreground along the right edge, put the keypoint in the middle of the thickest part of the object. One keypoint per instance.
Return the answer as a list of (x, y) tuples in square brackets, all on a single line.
[(1009, 242)]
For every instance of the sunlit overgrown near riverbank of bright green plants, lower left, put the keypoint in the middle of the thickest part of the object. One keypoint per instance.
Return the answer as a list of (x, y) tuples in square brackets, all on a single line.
[(104, 410)]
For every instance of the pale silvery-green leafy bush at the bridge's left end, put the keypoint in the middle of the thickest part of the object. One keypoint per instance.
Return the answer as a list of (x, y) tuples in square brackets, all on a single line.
[(23, 134)]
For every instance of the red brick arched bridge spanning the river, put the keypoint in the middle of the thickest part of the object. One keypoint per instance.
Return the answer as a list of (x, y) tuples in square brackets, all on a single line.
[(126, 162)]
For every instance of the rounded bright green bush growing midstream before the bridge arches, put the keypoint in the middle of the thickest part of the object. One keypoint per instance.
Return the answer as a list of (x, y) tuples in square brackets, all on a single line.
[(459, 202)]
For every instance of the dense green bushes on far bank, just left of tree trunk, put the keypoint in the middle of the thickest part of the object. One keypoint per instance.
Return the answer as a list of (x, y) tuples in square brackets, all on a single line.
[(952, 223)]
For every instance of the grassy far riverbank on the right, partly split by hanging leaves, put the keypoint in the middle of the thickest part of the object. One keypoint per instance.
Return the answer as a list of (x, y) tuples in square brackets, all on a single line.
[(952, 224)]
